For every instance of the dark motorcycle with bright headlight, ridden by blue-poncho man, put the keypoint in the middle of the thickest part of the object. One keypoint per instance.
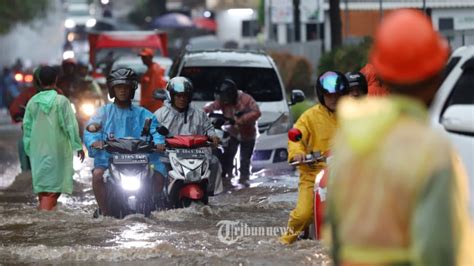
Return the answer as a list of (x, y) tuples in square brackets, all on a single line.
[(129, 179)]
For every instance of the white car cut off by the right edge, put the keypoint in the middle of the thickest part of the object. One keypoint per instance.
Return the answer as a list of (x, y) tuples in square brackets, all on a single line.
[(452, 111)]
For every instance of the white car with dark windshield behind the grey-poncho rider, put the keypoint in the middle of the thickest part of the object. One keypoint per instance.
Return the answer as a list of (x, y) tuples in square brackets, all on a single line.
[(256, 74)]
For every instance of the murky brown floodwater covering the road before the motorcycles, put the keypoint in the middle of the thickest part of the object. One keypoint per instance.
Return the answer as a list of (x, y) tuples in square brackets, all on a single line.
[(196, 235)]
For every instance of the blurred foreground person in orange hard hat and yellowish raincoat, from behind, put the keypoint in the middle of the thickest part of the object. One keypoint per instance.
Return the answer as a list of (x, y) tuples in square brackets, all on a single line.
[(397, 195)]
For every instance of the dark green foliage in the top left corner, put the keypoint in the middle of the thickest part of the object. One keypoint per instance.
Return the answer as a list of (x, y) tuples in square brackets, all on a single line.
[(13, 12)]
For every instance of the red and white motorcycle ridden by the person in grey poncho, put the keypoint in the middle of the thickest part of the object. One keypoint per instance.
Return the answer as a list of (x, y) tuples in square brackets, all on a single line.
[(188, 177)]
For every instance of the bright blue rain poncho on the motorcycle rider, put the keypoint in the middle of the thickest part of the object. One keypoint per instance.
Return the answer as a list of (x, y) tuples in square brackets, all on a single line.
[(121, 123)]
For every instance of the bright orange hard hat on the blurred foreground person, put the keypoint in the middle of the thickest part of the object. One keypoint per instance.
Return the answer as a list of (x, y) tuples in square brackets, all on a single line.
[(407, 49)]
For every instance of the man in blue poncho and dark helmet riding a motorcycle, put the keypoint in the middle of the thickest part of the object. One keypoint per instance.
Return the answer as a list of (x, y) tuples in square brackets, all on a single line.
[(120, 119)]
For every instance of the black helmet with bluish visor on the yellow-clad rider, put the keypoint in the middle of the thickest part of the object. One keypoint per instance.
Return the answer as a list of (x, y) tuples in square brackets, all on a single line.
[(331, 82)]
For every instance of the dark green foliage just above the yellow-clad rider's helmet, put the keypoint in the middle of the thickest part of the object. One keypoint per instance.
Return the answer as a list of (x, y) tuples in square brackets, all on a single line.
[(346, 58)]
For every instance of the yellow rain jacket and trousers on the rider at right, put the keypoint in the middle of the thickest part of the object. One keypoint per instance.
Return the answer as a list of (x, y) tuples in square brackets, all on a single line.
[(317, 125)]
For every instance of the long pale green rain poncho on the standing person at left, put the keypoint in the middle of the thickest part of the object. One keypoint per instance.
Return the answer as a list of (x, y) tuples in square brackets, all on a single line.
[(50, 135)]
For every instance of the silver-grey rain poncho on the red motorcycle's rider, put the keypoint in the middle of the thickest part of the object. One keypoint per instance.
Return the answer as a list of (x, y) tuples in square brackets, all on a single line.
[(191, 122)]
